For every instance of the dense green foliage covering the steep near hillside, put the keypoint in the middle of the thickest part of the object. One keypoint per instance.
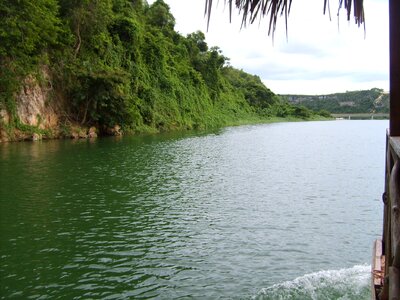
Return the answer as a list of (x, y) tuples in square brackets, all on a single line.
[(122, 62)]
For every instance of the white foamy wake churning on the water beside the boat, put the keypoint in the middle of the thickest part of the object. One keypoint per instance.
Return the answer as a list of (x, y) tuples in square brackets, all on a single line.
[(343, 284)]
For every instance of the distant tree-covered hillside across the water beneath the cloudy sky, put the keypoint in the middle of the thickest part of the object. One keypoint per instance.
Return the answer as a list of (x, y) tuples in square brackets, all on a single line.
[(368, 101)]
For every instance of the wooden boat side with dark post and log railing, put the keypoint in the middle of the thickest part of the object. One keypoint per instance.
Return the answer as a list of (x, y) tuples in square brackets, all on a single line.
[(386, 255)]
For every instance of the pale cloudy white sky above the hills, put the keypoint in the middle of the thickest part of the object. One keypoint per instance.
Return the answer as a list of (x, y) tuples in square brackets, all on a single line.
[(319, 54)]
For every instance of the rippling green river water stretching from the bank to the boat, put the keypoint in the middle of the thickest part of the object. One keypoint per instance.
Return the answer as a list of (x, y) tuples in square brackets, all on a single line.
[(274, 211)]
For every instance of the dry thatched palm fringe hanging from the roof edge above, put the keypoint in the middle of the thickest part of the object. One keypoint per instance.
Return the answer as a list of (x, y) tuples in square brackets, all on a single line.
[(251, 9)]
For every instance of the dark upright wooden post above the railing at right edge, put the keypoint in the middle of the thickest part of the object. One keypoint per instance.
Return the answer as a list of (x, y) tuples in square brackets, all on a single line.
[(394, 26)]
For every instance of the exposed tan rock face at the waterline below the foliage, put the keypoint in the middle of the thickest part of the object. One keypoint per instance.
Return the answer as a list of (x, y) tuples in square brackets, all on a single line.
[(38, 107)]
